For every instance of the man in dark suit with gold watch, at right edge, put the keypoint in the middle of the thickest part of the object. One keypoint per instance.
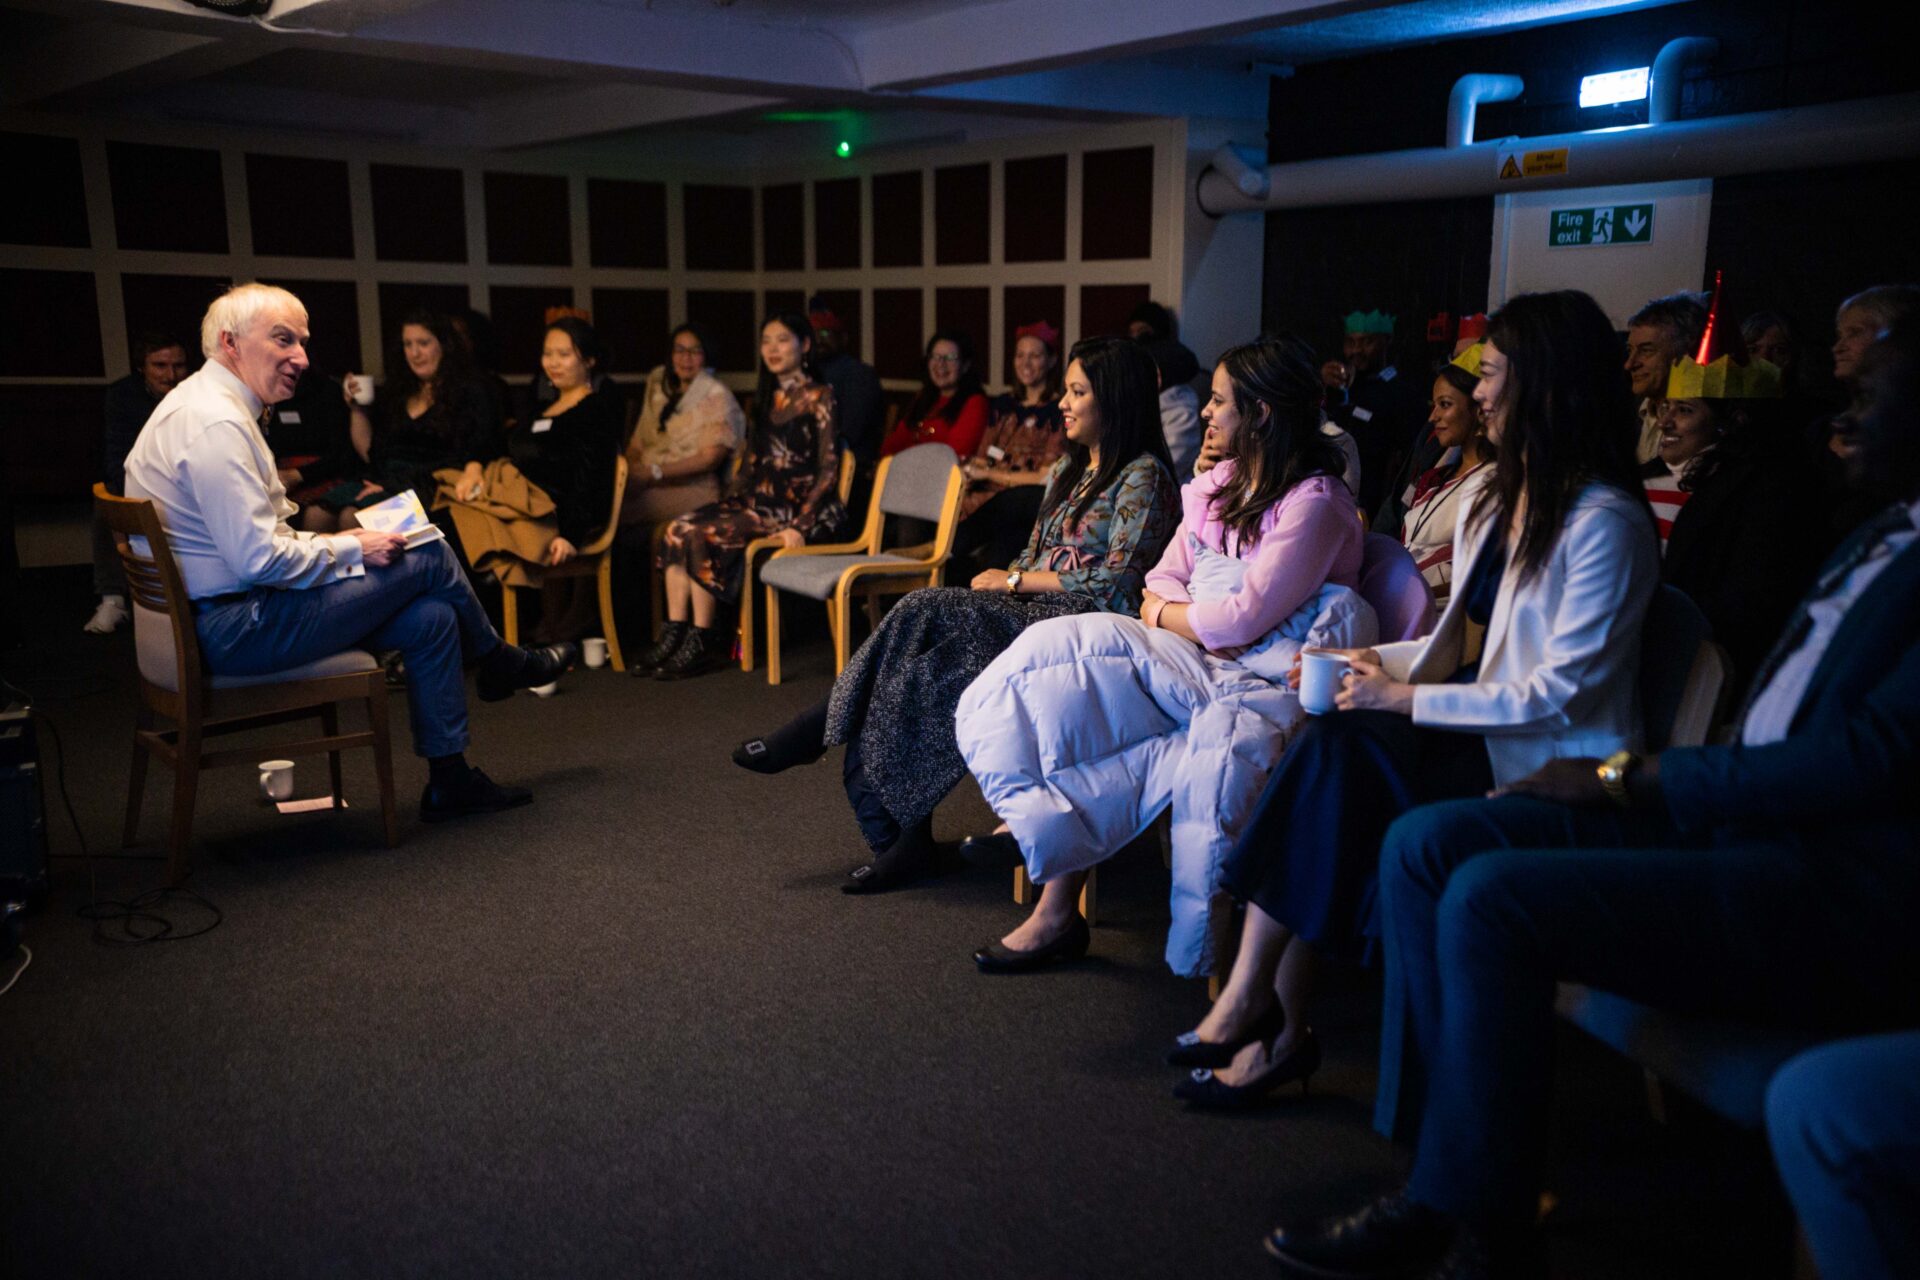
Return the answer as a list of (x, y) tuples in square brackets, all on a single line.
[(1773, 880)]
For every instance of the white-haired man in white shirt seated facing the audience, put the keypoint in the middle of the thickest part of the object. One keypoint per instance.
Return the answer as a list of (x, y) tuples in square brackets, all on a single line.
[(268, 598)]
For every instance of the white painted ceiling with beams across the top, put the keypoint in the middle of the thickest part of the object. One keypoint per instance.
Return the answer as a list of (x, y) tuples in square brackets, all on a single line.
[(533, 74)]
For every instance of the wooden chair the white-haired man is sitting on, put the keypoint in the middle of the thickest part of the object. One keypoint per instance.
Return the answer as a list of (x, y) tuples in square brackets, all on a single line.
[(176, 686)]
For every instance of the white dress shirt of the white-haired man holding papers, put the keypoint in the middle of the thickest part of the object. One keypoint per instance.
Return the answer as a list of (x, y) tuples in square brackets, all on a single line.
[(206, 465)]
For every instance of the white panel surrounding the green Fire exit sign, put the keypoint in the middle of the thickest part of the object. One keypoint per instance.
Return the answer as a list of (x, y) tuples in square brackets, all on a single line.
[(1621, 277)]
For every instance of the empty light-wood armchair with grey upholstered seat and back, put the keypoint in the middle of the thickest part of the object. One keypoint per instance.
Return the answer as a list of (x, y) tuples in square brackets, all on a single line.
[(923, 483)]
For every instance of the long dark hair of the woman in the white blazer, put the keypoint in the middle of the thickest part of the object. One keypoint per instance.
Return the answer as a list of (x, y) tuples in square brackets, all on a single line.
[(1570, 417)]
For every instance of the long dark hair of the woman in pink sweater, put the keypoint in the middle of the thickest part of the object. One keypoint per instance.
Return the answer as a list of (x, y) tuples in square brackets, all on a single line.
[(1280, 448)]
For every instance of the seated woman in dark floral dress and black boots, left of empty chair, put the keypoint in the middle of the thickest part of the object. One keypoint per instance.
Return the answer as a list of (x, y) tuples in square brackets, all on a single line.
[(786, 488)]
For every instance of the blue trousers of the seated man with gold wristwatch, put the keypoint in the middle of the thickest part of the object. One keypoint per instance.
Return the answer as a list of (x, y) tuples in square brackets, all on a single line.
[(1489, 903)]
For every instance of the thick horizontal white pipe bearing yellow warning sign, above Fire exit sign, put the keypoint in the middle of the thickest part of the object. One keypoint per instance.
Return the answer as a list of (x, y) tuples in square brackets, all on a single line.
[(1838, 133)]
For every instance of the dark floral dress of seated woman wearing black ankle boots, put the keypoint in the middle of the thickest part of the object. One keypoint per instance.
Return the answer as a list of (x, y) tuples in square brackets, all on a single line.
[(784, 485)]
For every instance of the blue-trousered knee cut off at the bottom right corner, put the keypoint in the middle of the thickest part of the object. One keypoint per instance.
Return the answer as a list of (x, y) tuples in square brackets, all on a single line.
[(1844, 1122)]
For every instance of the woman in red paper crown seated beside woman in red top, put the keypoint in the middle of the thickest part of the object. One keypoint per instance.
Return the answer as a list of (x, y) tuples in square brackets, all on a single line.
[(1007, 475)]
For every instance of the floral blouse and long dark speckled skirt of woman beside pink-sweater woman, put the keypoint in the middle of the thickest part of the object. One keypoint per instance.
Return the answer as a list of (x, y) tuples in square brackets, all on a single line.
[(896, 701)]
